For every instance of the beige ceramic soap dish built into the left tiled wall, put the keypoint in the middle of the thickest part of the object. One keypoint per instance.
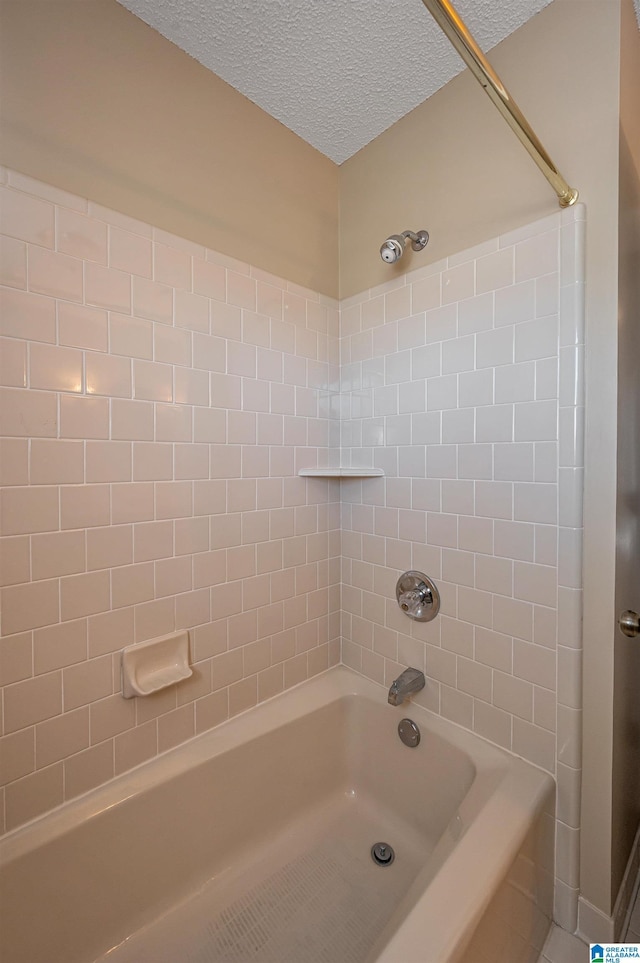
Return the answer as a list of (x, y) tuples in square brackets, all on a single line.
[(155, 664)]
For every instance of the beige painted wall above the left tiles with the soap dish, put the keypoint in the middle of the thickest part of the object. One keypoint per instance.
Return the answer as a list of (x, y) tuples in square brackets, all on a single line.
[(96, 102)]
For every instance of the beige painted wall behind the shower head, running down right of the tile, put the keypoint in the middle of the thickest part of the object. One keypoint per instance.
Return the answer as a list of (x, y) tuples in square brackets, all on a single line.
[(453, 167)]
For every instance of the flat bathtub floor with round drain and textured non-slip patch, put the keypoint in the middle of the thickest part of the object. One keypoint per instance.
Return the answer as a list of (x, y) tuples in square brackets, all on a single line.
[(312, 895)]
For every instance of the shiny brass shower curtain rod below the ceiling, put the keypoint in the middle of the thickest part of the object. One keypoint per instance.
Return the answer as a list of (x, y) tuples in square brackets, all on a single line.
[(450, 22)]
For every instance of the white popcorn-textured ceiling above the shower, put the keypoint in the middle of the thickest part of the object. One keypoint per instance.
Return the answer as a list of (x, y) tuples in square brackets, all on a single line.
[(337, 72)]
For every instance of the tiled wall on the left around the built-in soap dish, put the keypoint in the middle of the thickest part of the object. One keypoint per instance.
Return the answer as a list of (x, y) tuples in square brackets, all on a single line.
[(158, 400)]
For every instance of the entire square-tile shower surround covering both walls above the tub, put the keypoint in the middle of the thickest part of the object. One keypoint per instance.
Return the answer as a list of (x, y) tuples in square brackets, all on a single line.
[(158, 402)]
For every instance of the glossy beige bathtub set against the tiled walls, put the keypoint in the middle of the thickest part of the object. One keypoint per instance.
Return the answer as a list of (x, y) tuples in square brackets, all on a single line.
[(253, 842)]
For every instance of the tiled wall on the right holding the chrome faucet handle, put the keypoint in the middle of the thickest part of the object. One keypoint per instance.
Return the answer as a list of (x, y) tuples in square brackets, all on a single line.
[(463, 381)]
